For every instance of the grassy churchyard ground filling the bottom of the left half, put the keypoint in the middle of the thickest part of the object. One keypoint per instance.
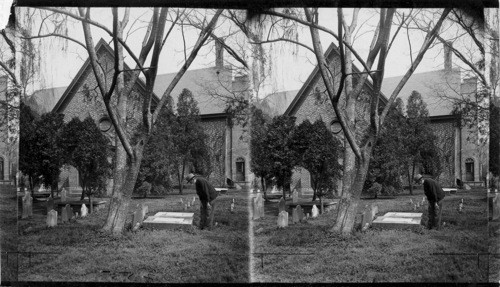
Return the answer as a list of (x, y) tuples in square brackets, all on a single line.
[(86, 254)]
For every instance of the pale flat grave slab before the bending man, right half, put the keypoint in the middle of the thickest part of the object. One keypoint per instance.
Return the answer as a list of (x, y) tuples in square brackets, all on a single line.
[(398, 220)]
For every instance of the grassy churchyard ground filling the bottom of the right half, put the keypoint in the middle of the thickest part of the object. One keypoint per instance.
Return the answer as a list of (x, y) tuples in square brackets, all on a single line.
[(308, 252)]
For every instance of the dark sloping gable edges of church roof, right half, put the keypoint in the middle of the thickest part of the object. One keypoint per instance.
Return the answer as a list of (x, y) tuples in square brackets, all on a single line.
[(331, 52)]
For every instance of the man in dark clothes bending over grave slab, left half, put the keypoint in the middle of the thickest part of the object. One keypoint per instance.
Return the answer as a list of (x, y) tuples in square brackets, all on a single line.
[(207, 194)]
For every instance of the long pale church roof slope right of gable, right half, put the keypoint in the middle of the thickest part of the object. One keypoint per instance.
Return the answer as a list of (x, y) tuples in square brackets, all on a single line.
[(434, 86)]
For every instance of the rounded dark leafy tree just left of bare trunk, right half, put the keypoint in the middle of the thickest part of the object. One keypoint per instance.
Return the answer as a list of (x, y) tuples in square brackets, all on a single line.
[(318, 151)]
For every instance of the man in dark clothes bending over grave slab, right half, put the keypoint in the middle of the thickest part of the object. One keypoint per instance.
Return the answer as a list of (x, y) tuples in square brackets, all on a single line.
[(434, 194)]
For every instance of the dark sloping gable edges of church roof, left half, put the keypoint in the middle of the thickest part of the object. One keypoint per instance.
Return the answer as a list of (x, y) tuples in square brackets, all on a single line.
[(69, 93)]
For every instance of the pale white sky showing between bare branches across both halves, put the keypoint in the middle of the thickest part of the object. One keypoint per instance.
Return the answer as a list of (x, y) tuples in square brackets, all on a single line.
[(289, 71)]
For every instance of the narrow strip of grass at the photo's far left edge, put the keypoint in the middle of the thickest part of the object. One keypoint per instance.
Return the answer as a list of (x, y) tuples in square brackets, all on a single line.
[(8, 233)]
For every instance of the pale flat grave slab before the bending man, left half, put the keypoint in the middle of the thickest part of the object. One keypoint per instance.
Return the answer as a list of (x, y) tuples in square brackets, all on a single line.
[(168, 220)]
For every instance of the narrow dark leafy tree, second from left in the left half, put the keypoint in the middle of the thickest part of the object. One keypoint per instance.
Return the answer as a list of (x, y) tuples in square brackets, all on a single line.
[(50, 153)]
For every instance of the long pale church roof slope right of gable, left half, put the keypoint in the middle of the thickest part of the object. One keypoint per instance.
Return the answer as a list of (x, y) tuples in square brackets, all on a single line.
[(206, 85)]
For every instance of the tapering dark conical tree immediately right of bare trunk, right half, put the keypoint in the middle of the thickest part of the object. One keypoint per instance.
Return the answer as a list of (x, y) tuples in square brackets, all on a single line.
[(390, 153)]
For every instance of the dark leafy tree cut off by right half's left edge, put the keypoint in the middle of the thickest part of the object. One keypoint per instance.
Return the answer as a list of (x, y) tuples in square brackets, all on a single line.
[(259, 154)]
